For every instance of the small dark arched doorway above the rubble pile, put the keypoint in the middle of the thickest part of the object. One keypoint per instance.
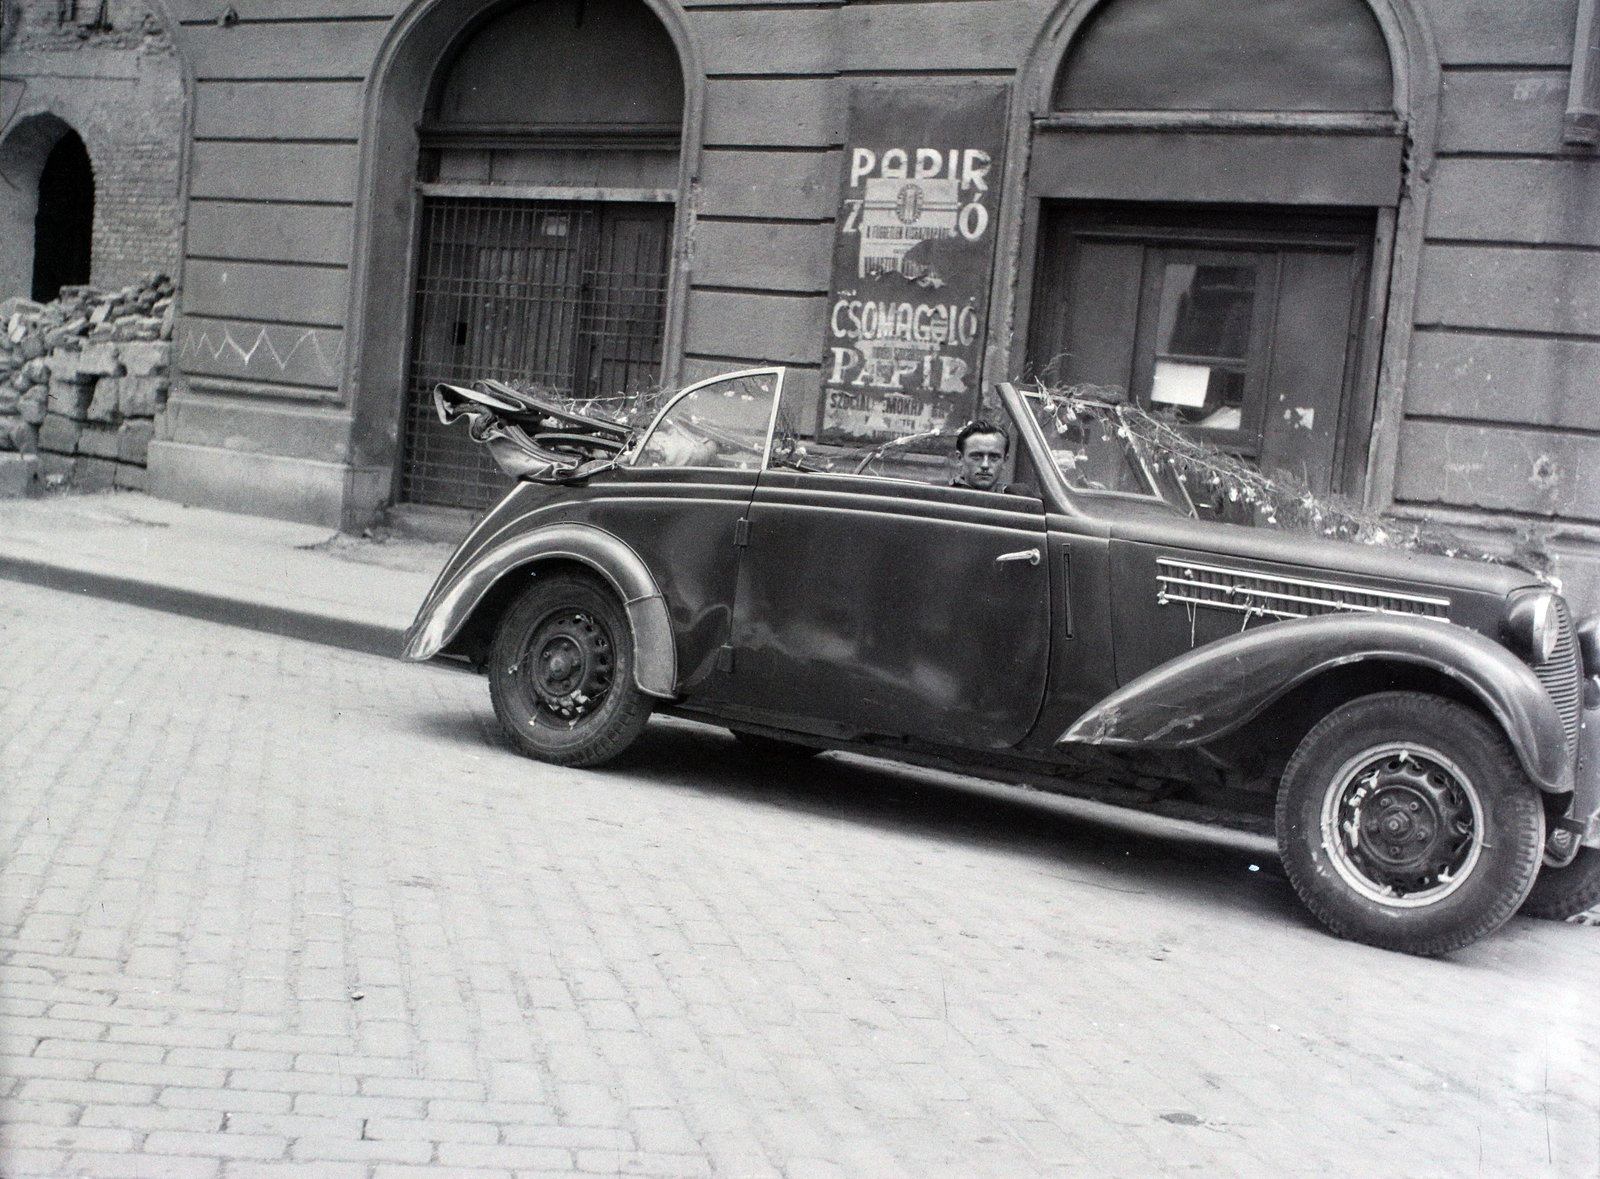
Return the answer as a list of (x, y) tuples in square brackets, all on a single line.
[(47, 209)]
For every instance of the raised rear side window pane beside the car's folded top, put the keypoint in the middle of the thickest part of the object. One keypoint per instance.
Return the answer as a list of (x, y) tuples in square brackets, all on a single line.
[(718, 426)]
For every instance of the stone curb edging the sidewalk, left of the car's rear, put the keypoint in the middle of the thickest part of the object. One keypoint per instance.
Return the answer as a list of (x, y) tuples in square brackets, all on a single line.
[(348, 634)]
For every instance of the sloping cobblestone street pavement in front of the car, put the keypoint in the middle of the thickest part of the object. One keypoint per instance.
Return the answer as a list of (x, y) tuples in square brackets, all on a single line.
[(274, 909)]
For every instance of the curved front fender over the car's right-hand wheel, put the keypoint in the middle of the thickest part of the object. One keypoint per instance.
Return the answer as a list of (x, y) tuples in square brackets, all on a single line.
[(1210, 692)]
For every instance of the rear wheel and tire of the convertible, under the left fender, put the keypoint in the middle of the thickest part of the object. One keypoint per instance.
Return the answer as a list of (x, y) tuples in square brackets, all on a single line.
[(562, 673)]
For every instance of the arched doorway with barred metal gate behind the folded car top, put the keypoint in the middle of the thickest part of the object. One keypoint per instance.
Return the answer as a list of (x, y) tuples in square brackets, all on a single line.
[(548, 182)]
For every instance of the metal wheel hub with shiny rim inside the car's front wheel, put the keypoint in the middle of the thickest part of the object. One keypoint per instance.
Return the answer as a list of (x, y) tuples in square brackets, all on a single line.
[(1406, 823)]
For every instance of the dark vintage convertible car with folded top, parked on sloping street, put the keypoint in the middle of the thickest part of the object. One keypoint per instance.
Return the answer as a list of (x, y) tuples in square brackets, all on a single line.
[(1415, 724)]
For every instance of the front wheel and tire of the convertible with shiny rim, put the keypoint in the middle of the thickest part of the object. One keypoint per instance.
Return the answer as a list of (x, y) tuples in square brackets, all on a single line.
[(1454, 828)]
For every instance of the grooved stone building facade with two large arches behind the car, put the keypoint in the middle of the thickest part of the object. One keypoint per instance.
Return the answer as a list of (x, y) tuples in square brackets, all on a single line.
[(1353, 239)]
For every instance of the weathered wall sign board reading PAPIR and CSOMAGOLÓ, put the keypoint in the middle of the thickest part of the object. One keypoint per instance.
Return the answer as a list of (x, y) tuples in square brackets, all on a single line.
[(913, 258)]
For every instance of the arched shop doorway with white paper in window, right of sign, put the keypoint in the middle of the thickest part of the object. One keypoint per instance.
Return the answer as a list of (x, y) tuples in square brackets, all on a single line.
[(1215, 186)]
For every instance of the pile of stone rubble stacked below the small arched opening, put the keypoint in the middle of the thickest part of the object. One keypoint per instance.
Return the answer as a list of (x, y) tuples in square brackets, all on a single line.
[(81, 383)]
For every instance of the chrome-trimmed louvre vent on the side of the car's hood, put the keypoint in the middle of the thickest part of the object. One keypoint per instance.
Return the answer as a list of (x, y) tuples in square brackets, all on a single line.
[(1265, 596)]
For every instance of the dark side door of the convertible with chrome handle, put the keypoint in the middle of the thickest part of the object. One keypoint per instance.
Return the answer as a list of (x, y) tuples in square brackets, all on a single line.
[(878, 599)]
